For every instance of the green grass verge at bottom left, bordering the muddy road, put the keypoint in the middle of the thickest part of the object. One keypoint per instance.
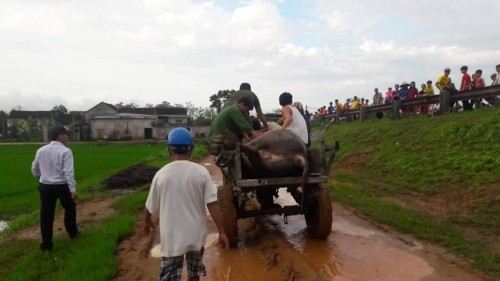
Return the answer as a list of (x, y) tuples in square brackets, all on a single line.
[(90, 257)]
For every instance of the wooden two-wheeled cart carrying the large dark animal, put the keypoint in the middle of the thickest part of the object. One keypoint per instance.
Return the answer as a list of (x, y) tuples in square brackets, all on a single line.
[(312, 196)]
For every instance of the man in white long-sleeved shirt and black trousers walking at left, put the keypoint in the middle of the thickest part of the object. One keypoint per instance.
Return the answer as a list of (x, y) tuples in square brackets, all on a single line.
[(53, 166)]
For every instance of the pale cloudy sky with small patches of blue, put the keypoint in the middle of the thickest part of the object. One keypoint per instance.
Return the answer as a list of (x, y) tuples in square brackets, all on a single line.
[(79, 53)]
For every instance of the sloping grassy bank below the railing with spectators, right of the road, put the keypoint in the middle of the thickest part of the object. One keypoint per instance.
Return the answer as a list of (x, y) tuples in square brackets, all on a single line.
[(435, 178)]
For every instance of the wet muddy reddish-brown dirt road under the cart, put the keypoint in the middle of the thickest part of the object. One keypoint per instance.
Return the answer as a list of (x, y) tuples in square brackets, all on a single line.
[(272, 250)]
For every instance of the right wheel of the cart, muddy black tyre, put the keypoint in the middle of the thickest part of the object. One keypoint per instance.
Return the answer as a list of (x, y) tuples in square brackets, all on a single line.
[(318, 210)]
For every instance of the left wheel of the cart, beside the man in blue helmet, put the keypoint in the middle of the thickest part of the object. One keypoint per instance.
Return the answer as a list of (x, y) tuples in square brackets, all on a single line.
[(228, 212)]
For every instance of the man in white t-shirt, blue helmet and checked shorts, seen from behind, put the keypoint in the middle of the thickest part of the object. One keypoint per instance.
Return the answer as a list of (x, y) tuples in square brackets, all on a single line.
[(179, 193)]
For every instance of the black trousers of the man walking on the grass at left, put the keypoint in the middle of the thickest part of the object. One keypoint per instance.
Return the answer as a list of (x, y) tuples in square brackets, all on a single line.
[(48, 198)]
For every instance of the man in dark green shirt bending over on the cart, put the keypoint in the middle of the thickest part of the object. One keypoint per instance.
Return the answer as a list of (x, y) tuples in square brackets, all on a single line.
[(232, 119)]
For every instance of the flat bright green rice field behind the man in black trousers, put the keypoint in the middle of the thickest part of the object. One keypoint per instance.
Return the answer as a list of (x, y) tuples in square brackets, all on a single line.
[(93, 162)]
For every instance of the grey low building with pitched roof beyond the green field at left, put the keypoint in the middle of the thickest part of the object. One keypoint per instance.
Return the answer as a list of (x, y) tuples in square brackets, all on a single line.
[(108, 122)]
